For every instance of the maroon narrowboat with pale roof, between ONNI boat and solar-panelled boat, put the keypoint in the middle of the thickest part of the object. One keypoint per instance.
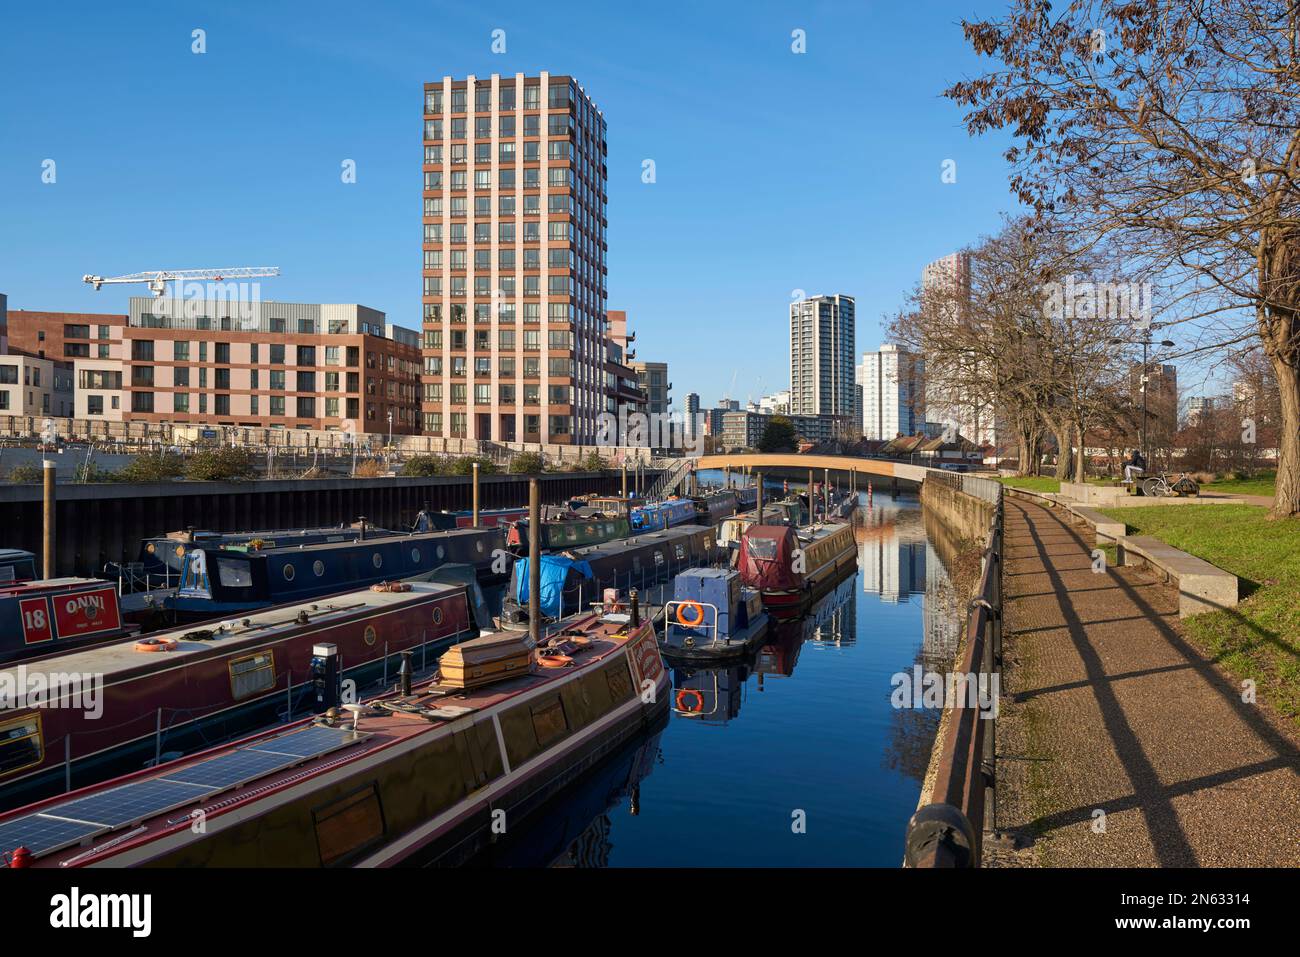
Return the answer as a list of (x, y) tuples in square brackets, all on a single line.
[(111, 709)]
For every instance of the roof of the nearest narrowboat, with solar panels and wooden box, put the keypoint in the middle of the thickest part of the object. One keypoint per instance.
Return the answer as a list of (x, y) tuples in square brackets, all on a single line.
[(103, 825)]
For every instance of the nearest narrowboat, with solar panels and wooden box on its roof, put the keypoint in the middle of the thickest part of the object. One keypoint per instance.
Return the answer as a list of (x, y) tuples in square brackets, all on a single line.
[(419, 776)]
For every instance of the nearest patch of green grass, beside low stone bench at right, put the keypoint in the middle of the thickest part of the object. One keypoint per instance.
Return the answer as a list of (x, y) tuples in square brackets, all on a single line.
[(1259, 639)]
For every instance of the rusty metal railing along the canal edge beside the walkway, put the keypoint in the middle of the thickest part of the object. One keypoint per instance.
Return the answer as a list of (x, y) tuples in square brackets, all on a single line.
[(950, 832)]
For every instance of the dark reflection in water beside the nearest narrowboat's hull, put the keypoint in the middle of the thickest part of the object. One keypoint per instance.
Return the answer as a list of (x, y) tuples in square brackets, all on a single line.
[(574, 829)]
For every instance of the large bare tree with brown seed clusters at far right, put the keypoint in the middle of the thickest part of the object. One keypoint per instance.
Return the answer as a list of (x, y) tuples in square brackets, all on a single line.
[(1176, 127)]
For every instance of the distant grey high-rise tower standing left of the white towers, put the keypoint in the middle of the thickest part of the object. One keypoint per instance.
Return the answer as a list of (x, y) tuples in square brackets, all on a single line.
[(822, 356)]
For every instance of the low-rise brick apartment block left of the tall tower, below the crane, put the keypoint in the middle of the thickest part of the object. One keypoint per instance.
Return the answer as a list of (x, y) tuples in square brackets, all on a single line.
[(265, 365)]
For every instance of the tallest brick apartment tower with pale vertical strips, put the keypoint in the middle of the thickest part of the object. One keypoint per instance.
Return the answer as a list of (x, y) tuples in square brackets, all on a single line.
[(514, 261)]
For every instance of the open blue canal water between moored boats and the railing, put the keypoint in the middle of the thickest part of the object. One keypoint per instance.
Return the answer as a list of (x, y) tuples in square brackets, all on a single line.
[(798, 757)]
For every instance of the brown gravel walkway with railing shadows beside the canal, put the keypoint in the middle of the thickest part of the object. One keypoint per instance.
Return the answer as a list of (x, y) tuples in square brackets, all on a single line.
[(1113, 711)]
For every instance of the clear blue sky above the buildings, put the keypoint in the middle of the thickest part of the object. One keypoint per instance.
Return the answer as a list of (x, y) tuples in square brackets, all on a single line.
[(775, 171)]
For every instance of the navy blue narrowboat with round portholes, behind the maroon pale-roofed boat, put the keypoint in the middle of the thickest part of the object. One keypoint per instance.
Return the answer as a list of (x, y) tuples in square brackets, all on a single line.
[(229, 582)]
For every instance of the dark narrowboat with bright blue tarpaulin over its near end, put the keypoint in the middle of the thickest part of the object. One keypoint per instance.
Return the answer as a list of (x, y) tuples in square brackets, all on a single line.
[(577, 577)]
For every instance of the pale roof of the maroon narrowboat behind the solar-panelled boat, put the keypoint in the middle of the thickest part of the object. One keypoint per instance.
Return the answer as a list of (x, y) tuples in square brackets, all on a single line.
[(119, 659)]
